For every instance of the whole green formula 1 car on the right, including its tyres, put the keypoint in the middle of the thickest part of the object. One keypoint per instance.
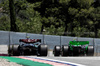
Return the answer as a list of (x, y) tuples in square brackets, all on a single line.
[(74, 48)]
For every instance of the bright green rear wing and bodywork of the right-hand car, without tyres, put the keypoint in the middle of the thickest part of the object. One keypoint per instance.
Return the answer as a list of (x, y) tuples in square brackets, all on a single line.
[(78, 44)]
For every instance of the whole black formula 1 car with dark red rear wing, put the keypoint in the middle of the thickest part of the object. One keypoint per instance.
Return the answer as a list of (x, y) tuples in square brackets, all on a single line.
[(28, 47)]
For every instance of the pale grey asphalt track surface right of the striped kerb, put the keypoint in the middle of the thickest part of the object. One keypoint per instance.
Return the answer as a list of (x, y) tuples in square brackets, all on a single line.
[(87, 61)]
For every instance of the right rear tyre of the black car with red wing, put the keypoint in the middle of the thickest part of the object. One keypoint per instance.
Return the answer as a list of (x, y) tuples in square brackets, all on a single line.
[(43, 50)]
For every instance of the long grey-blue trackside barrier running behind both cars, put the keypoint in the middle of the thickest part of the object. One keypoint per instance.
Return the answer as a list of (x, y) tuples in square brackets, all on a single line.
[(7, 37)]
